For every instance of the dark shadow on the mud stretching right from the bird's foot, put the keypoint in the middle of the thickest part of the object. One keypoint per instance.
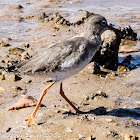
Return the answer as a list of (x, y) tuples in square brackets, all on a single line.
[(119, 112)]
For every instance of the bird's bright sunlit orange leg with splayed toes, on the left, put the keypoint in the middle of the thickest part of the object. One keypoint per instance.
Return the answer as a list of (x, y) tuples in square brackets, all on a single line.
[(31, 117)]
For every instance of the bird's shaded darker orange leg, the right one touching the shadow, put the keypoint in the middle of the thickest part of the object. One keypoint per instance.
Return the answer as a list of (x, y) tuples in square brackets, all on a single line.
[(70, 103)]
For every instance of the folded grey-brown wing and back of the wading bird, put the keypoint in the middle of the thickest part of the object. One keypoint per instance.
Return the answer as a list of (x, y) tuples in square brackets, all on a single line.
[(64, 55)]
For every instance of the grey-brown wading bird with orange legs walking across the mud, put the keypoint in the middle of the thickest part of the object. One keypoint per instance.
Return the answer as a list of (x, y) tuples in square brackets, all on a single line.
[(66, 58)]
